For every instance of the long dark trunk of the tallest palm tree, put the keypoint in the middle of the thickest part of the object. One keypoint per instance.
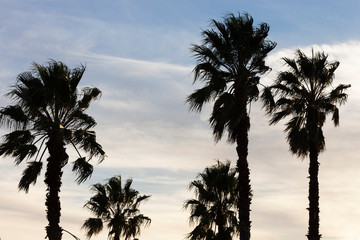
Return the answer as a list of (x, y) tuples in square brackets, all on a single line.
[(244, 187)]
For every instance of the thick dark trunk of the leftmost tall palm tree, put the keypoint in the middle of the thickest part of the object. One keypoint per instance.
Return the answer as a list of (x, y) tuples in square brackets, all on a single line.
[(53, 181)]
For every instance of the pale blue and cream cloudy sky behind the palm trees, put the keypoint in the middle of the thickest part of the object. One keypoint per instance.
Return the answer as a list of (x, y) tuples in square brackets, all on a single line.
[(138, 53)]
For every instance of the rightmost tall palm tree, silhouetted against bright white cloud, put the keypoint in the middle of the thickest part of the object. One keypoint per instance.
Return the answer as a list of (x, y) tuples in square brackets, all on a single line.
[(306, 93)]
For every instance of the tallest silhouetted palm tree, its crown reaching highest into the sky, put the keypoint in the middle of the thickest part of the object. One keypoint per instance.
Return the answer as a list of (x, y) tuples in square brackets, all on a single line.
[(230, 62)]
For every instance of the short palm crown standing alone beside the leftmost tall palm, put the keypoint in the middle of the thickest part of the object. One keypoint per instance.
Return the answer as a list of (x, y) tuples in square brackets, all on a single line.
[(118, 207)]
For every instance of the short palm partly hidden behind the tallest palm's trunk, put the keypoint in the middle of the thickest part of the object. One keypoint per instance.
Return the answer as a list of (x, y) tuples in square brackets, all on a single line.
[(214, 208)]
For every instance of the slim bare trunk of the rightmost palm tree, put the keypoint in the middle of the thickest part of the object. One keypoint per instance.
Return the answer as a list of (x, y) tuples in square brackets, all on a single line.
[(314, 220)]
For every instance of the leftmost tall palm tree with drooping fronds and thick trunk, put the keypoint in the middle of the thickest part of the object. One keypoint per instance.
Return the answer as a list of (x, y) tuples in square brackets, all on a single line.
[(49, 113)]
